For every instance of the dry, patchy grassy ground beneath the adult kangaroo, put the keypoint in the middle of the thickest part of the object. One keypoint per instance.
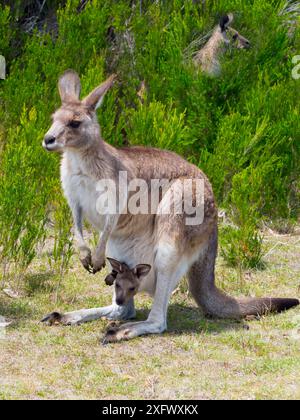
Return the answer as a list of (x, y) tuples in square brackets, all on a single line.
[(196, 358)]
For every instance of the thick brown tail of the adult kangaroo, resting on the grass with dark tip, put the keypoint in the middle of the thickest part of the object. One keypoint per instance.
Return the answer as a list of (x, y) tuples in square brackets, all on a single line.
[(218, 304)]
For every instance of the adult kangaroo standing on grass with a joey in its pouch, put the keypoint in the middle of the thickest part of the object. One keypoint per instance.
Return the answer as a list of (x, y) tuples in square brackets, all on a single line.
[(165, 241)]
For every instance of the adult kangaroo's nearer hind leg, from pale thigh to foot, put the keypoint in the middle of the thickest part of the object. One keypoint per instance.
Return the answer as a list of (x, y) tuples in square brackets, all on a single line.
[(170, 265)]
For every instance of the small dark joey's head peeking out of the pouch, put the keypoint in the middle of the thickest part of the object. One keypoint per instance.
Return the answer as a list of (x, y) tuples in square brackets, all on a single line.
[(127, 281)]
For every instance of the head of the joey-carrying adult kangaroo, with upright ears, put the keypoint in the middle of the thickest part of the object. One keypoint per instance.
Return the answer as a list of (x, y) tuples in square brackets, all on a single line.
[(75, 123)]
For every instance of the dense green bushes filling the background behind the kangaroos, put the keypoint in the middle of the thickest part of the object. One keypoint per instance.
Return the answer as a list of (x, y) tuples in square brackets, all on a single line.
[(242, 128)]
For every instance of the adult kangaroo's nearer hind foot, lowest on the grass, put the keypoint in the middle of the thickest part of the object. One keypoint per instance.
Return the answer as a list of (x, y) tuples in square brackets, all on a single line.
[(128, 331)]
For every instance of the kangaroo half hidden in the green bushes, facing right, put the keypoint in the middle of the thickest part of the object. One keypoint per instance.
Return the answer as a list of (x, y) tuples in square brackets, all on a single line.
[(208, 58)]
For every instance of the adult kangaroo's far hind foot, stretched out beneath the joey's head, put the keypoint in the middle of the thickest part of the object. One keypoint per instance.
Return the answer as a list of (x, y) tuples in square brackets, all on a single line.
[(112, 312)]
